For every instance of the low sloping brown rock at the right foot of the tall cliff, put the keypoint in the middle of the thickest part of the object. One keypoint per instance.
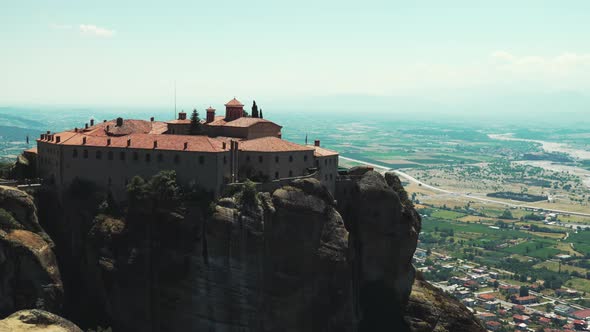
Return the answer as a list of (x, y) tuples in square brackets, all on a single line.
[(430, 309)]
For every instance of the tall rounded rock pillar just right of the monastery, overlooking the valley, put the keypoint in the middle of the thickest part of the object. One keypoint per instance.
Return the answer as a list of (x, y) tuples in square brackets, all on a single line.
[(384, 230)]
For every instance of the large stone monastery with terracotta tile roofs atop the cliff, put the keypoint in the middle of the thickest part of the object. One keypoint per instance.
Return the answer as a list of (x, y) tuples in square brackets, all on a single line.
[(227, 149)]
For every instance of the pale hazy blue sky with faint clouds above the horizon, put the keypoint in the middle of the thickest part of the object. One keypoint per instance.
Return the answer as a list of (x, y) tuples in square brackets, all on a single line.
[(108, 52)]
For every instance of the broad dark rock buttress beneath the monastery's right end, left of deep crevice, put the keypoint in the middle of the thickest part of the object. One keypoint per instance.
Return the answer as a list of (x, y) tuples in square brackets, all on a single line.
[(276, 265)]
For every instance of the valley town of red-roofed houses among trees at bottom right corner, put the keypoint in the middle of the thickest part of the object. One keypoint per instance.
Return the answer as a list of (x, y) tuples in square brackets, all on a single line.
[(499, 304)]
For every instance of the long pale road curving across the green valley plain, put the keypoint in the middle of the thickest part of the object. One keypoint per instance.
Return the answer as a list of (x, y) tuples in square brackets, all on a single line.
[(425, 185)]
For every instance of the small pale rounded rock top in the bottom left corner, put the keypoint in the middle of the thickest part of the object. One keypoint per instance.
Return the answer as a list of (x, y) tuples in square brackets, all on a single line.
[(37, 321)]
